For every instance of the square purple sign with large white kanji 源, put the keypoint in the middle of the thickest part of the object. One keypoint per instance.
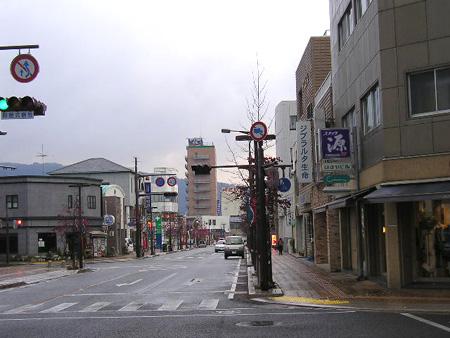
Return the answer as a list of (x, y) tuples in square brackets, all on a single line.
[(335, 143)]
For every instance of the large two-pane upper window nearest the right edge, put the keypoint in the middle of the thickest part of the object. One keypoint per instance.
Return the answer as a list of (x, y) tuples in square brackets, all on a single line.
[(429, 92)]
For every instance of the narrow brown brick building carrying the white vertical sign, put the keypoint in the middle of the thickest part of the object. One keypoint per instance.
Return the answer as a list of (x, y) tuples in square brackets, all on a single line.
[(312, 232)]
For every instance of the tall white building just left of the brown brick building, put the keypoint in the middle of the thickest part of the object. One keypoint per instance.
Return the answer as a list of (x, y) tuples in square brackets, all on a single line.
[(286, 144)]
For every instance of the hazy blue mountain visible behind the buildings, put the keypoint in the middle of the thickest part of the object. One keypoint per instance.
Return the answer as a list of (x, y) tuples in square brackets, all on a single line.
[(39, 169)]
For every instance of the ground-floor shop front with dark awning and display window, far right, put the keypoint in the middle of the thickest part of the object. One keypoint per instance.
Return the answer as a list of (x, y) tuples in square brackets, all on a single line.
[(417, 223)]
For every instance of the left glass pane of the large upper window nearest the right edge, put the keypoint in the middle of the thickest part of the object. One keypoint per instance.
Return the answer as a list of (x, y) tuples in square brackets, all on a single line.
[(423, 99)]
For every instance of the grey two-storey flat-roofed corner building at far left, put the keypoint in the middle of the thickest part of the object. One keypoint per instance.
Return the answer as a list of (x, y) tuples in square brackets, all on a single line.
[(47, 208)]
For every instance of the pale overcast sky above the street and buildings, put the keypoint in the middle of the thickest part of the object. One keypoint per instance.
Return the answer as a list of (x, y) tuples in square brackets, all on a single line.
[(137, 78)]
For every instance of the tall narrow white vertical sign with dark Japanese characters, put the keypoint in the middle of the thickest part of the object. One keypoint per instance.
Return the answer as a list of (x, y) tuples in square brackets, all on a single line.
[(304, 152)]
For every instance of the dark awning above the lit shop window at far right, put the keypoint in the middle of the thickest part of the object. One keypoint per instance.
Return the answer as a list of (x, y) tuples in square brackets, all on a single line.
[(410, 192)]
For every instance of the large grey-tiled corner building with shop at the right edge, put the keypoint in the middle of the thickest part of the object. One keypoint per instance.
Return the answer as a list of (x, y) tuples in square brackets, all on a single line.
[(390, 81)]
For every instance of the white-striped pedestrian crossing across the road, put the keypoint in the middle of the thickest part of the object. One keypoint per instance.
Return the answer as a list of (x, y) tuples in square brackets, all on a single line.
[(169, 305)]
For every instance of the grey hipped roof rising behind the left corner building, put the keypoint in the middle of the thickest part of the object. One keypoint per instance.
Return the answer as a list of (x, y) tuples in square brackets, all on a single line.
[(92, 165)]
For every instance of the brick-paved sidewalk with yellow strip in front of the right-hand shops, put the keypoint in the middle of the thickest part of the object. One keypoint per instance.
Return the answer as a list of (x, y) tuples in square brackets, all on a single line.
[(304, 284)]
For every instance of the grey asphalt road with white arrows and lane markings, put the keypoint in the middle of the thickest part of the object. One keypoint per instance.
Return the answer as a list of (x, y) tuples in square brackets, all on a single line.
[(193, 293)]
